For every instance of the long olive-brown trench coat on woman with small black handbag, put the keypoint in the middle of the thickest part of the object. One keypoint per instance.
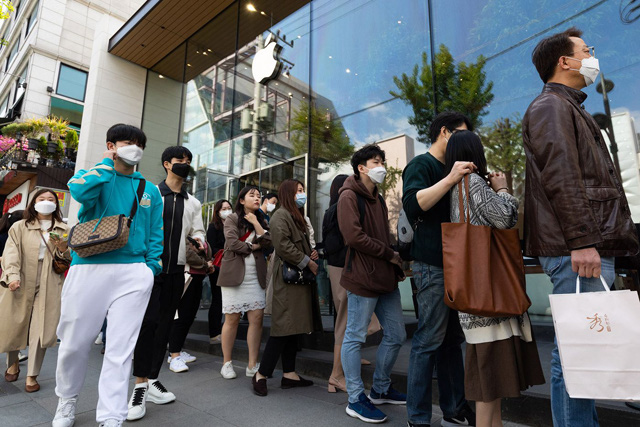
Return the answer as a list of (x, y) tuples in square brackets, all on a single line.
[(294, 308)]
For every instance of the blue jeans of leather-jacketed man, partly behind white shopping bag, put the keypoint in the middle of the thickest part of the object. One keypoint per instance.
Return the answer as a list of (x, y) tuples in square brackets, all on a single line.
[(568, 412)]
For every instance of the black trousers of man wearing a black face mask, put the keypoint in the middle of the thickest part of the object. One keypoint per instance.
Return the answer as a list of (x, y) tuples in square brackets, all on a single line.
[(151, 347)]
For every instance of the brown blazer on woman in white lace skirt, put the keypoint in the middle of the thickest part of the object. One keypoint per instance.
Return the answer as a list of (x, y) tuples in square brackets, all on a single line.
[(235, 251)]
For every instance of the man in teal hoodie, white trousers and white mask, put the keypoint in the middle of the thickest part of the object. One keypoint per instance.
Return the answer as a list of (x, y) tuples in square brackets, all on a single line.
[(113, 284)]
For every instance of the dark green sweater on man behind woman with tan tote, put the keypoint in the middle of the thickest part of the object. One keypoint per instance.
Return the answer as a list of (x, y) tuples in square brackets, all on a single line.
[(423, 172)]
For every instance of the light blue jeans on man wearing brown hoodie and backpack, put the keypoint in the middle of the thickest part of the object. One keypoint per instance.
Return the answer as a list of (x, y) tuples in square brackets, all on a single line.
[(388, 308)]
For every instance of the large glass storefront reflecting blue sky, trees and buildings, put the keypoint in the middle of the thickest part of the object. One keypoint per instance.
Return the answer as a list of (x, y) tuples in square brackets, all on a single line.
[(346, 82)]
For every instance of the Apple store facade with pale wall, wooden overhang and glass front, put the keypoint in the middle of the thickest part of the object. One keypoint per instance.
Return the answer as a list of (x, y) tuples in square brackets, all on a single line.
[(350, 73)]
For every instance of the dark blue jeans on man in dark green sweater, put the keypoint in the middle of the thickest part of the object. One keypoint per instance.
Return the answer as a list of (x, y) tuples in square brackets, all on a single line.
[(436, 342)]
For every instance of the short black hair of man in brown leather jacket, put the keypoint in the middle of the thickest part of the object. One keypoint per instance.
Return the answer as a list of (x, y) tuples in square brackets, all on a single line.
[(546, 54)]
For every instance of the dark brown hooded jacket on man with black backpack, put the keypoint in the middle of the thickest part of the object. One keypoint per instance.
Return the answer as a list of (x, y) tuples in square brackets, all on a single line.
[(371, 272)]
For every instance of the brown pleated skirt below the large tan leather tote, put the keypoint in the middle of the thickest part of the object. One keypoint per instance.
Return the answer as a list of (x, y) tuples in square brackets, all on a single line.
[(500, 369)]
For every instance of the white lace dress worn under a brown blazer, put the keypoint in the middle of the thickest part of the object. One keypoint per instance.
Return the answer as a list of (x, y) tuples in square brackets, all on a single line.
[(249, 295)]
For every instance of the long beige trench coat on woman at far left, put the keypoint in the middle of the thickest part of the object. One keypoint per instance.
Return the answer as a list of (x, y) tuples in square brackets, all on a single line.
[(20, 262)]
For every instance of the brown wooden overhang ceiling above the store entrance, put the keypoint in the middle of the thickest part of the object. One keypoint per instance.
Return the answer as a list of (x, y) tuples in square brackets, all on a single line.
[(156, 35)]
